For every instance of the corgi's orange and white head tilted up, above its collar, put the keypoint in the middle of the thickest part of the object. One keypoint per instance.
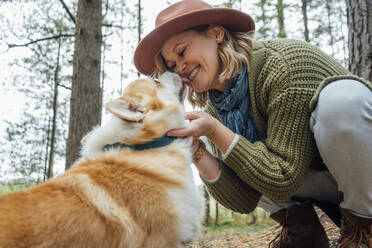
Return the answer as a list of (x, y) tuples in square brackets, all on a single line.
[(149, 108)]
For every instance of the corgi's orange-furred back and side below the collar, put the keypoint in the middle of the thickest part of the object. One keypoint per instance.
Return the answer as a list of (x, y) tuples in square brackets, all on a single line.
[(95, 204)]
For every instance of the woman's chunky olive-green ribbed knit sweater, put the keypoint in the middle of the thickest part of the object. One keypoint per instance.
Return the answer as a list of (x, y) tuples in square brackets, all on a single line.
[(285, 79)]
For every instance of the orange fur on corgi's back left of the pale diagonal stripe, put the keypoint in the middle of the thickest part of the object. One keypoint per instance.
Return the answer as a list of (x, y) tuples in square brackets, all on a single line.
[(51, 215)]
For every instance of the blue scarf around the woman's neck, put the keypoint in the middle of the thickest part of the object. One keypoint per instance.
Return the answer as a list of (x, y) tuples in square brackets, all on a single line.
[(232, 106)]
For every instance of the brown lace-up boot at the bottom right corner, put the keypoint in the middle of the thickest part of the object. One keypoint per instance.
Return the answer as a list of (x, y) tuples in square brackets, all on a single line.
[(356, 232)]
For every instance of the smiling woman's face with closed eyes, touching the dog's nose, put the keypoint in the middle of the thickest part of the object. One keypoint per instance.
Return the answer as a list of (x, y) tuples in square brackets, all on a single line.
[(193, 56)]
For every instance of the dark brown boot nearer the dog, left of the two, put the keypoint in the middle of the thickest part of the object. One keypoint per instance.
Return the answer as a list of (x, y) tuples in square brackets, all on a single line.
[(301, 228)]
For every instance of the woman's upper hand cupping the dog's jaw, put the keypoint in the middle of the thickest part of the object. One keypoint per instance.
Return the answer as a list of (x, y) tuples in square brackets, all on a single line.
[(201, 124)]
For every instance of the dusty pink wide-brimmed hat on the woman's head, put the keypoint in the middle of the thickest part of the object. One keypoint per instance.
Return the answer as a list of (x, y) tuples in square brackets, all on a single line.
[(180, 17)]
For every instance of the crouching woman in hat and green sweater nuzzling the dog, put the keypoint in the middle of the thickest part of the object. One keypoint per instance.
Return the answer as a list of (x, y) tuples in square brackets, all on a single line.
[(274, 111)]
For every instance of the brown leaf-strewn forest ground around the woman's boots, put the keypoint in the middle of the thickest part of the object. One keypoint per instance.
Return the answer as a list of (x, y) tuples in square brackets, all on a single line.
[(261, 238)]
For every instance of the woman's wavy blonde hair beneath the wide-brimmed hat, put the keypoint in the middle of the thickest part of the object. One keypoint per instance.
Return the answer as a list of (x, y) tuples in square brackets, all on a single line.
[(234, 50)]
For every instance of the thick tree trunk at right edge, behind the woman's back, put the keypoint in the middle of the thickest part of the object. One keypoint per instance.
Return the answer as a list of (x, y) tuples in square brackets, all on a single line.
[(359, 17)]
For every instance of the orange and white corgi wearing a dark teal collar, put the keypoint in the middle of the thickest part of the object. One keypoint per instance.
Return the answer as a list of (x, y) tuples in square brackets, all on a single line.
[(132, 187)]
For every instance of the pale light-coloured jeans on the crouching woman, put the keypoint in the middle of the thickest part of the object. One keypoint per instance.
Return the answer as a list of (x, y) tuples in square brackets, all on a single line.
[(342, 127)]
